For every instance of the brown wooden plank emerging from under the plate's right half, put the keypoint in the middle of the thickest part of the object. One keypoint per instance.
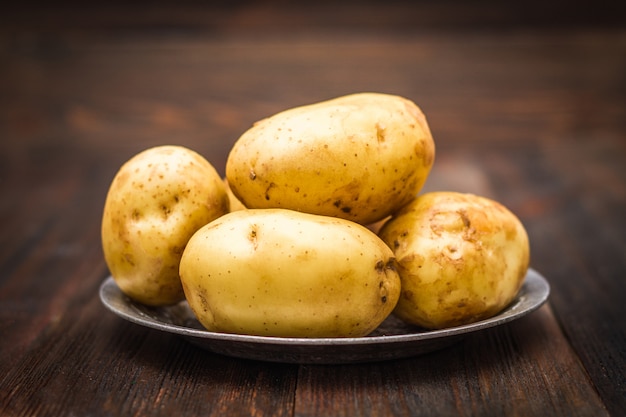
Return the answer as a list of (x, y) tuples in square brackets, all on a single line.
[(463, 380)]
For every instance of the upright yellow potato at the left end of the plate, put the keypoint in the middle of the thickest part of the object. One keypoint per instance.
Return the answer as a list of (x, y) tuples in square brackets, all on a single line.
[(156, 201)]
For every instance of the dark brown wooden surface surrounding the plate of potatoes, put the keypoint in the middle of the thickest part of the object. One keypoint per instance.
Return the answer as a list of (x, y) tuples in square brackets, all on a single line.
[(526, 105)]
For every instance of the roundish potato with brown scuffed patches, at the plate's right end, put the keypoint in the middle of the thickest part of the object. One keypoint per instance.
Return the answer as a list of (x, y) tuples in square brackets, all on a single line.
[(461, 258)]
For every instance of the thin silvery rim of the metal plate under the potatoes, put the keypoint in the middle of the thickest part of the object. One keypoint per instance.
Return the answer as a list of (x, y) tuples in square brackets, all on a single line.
[(534, 284)]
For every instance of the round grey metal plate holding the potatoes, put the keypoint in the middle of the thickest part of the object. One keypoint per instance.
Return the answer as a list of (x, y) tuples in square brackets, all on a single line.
[(392, 340)]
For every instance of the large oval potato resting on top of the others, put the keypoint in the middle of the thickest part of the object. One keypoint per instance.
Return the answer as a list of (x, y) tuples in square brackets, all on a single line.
[(358, 157)]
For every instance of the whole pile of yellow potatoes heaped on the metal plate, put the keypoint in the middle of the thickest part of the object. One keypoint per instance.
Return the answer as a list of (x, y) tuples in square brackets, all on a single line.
[(318, 229)]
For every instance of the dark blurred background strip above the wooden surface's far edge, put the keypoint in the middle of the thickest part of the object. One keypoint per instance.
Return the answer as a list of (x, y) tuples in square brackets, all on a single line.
[(224, 16)]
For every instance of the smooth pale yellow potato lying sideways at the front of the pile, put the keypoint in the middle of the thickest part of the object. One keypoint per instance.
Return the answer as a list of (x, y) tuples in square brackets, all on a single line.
[(278, 272)]
